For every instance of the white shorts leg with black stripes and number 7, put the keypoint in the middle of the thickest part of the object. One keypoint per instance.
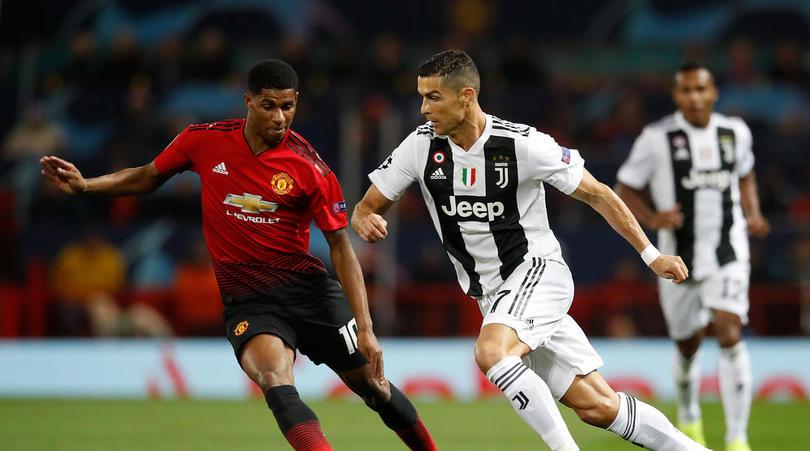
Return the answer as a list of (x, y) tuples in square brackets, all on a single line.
[(532, 300)]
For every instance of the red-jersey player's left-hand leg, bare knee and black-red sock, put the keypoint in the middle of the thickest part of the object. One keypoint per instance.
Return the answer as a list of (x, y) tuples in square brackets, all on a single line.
[(269, 362)]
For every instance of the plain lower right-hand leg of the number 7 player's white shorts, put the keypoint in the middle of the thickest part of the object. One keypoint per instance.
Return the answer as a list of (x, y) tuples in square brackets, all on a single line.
[(566, 355)]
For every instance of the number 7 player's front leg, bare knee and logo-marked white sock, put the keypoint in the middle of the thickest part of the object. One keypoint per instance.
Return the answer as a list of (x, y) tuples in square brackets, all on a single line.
[(498, 353)]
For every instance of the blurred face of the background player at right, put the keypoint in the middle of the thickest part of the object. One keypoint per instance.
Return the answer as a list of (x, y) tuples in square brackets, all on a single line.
[(695, 94)]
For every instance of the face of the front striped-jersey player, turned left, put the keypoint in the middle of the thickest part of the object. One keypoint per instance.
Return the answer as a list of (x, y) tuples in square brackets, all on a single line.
[(441, 105)]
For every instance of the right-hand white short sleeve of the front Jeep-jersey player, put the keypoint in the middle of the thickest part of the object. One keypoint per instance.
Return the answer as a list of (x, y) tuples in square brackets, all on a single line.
[(552, 163)]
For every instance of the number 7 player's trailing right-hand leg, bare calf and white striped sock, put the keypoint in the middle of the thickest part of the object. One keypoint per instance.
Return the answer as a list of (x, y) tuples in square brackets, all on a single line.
[(597, 404)]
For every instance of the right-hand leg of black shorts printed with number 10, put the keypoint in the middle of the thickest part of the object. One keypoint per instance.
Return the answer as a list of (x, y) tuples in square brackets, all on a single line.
[(328, 331)]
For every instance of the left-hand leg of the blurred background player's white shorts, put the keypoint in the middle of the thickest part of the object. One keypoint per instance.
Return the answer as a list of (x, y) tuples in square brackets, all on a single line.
[(683, 308)]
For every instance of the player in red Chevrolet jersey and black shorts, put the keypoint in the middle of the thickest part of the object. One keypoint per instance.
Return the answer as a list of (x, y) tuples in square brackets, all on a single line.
[(262, 185)]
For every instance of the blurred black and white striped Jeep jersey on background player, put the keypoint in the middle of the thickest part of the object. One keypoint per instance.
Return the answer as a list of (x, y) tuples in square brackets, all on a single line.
[(699, 168)]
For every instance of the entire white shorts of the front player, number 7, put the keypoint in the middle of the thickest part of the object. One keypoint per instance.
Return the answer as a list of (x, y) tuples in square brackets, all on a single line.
[(534, 301)]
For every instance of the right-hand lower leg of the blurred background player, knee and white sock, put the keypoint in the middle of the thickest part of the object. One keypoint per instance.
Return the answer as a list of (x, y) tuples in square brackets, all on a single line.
[(734, 368)]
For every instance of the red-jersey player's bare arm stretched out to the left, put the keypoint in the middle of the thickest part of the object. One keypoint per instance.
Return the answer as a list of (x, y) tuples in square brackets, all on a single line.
[(126, 182)]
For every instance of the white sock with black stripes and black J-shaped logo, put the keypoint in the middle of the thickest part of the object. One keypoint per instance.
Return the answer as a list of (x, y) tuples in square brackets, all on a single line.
[(532, 400)]
